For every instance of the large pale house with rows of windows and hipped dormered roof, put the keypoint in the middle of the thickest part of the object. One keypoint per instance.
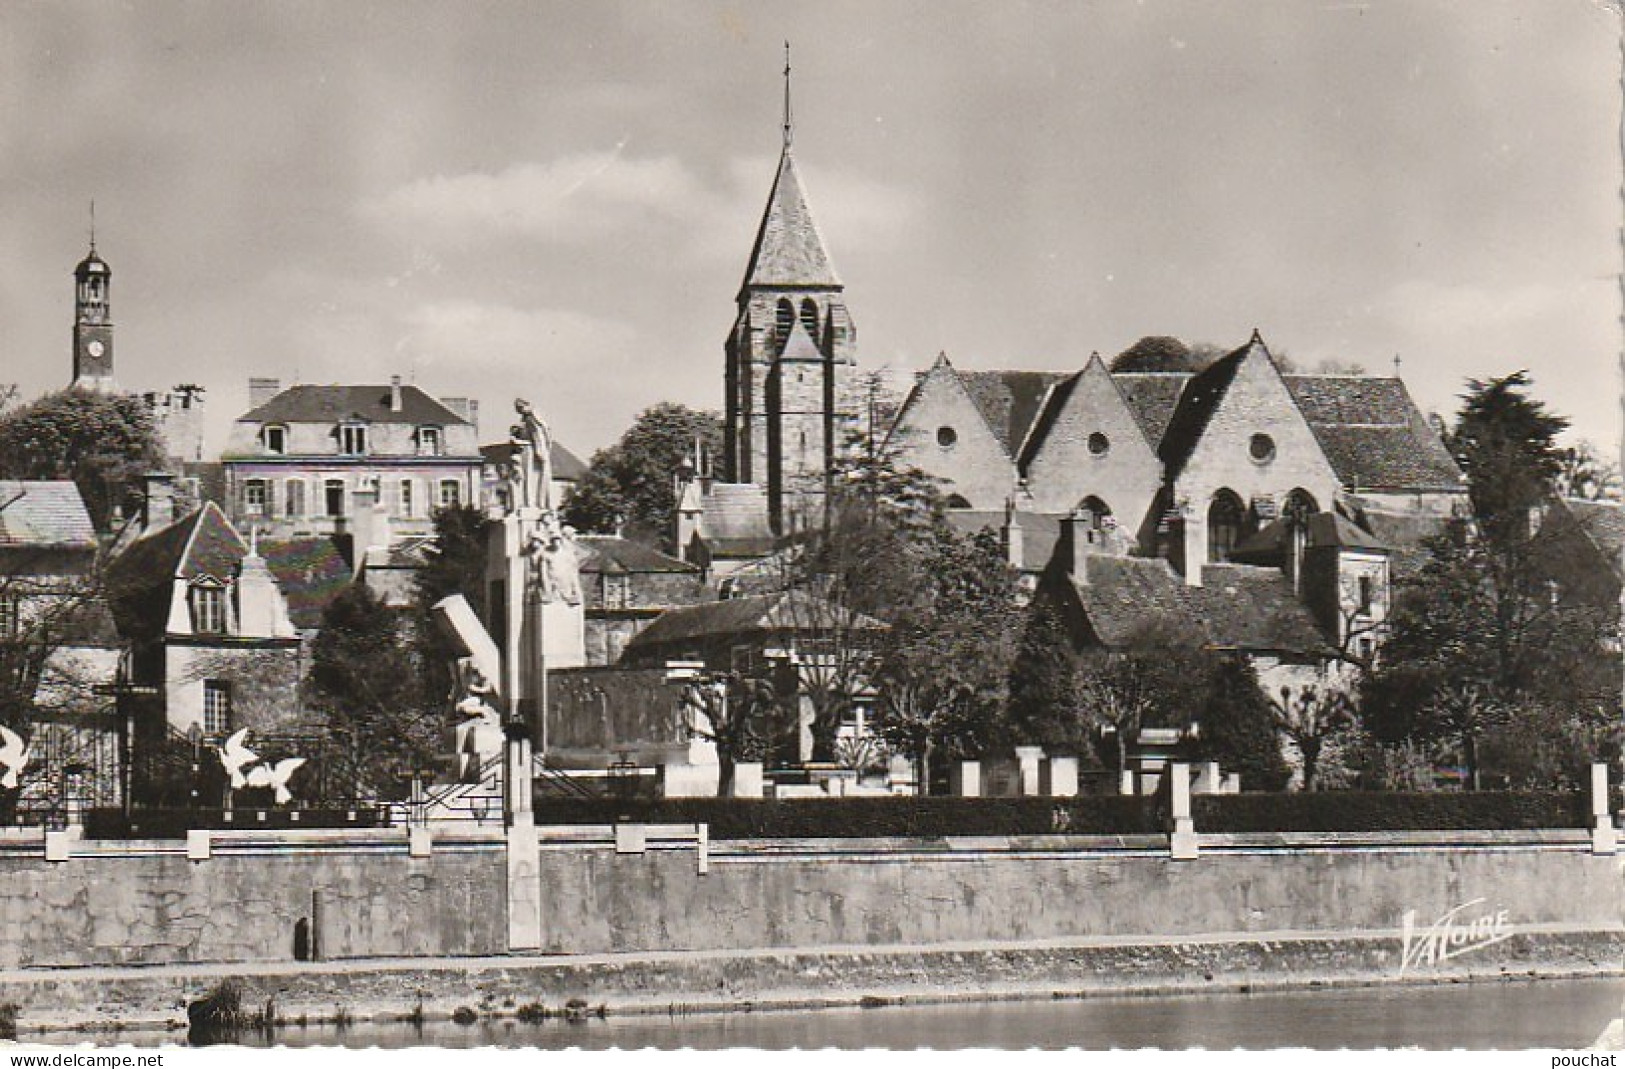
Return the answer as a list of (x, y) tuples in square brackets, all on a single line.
[(310, 459)]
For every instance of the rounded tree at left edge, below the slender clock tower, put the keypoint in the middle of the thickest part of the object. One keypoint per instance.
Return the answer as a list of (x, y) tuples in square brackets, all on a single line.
[(102, 441)]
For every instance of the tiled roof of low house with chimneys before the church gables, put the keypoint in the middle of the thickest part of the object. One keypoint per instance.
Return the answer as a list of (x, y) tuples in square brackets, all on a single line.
[(1236, 608)]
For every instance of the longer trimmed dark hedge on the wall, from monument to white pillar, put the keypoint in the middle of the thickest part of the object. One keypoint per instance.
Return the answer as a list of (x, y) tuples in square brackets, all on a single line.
[(872, 818)]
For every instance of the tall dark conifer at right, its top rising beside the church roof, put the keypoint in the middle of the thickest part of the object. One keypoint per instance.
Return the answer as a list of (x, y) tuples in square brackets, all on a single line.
[(1480, 633)]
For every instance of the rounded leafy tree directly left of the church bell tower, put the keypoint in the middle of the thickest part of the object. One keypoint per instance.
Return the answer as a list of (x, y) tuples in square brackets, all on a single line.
[(633, 485)]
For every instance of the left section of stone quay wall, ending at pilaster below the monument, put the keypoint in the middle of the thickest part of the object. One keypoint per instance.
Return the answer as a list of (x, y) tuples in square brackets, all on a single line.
[(256, 898)]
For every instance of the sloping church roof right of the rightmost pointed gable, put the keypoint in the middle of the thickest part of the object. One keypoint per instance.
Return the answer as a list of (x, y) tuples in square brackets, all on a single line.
[(1374, 435)]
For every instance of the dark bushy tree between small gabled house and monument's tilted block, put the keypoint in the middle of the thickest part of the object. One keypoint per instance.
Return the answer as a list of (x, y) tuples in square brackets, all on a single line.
[(365, 686)]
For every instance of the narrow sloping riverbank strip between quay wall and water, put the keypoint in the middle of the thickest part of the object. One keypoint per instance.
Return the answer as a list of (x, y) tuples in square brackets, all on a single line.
[(103, 1000)]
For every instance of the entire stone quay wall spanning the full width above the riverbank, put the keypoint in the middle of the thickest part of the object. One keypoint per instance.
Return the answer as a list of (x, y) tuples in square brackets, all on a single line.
[(384, 894)]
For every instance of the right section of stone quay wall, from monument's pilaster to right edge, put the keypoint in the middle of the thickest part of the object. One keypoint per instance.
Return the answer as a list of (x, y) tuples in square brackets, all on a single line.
[(921, 893)]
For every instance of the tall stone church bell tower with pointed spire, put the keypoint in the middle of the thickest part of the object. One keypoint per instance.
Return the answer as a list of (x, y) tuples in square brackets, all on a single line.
[(789, 357)]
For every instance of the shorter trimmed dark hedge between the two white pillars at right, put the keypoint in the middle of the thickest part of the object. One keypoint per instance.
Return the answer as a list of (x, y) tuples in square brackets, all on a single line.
[(1392, 811)]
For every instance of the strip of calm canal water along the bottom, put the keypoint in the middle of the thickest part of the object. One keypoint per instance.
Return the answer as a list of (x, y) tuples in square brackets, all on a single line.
[(1478, 1016)]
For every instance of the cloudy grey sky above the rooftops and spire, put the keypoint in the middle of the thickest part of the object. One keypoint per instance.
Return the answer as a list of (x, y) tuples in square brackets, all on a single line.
[(557, 201)]
